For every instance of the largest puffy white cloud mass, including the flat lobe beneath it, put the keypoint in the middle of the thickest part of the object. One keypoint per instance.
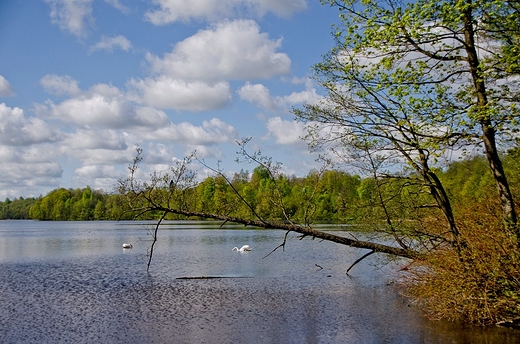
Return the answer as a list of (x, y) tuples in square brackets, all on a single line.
[(193, 77)]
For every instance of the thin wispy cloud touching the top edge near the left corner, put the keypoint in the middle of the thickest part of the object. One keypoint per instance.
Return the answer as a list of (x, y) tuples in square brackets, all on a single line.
[(73, 16)]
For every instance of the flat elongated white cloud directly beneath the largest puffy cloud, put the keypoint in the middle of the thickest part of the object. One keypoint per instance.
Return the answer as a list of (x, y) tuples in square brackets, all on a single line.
[(167, 93)]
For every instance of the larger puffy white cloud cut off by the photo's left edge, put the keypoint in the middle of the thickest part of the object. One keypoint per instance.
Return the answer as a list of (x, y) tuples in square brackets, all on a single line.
[(18, 130)]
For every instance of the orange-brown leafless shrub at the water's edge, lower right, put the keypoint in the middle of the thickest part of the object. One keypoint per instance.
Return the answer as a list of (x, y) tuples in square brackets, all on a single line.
[(480, 283)]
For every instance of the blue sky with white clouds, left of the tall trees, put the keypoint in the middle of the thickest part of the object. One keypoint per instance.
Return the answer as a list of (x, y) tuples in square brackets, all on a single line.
[(83, 81)]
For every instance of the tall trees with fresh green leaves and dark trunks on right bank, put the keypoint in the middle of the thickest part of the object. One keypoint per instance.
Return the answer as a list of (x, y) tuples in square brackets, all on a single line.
[(415, 80)]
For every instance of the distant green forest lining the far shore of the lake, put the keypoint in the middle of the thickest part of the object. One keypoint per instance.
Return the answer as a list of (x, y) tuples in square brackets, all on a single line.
[(332, 195)]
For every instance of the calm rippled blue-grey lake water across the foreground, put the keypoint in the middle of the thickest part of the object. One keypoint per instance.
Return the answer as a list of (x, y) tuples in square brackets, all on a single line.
[(71, 282)]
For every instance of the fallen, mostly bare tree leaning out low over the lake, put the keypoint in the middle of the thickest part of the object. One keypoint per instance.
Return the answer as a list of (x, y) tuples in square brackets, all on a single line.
[(172, 193)]
